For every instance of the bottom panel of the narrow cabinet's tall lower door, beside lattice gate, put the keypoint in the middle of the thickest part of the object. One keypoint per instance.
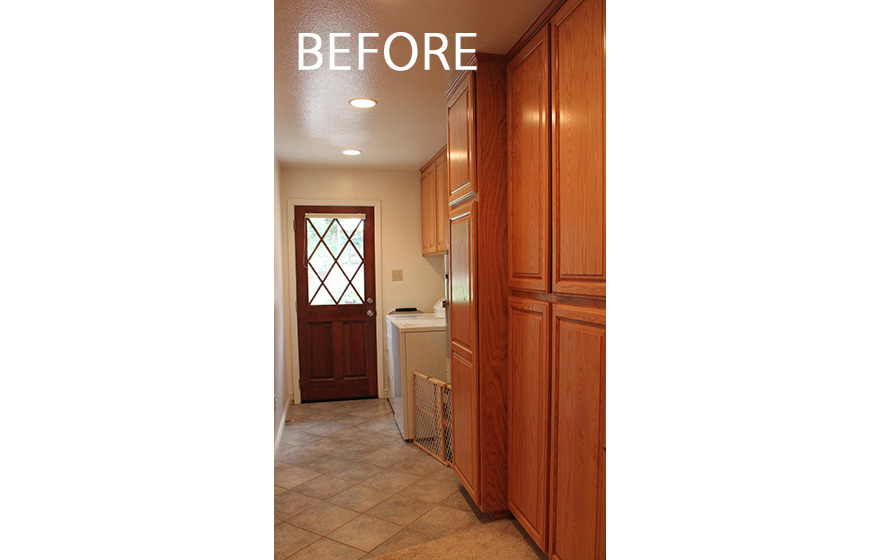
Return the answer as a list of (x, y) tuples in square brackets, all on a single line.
[(465, 422)]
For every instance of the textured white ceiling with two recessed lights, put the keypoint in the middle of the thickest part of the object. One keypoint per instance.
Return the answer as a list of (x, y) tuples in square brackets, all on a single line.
[(313, 120)]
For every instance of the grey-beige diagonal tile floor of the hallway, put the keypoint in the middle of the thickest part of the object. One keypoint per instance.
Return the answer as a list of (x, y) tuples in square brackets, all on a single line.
[(348, 487)]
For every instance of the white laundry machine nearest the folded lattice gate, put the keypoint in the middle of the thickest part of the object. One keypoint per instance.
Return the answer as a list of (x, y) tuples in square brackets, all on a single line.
[(415, 342)]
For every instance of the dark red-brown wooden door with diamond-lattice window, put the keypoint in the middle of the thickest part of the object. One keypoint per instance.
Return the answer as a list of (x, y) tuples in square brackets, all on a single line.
[(335, 294)]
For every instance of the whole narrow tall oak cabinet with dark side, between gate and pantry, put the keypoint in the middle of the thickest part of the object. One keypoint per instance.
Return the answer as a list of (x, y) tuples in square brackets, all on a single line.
[(476, 159)]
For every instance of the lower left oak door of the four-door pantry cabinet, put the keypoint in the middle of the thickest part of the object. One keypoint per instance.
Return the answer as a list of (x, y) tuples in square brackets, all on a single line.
[(529, 416)]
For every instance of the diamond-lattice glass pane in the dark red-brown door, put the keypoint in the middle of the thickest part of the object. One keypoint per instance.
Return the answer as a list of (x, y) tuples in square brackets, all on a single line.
[(335, 248)]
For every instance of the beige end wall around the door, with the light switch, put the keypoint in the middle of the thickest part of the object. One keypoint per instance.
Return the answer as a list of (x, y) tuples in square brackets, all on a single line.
[(401, 238)]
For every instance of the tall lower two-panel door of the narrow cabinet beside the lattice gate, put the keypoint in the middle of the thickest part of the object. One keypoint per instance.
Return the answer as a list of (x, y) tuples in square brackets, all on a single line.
[(463, 332)]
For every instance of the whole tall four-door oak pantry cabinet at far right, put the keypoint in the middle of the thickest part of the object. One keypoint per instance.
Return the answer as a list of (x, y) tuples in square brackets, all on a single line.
[(556, 220)]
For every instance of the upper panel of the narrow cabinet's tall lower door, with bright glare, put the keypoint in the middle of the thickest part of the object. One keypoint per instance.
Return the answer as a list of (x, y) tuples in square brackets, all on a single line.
[(462, 279)]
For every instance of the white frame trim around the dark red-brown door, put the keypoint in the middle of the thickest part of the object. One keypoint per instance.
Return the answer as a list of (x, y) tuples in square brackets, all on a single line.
[(293, 336)]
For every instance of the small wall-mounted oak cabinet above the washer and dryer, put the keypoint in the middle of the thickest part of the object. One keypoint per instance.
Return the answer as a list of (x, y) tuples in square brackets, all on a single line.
[(435, 211)]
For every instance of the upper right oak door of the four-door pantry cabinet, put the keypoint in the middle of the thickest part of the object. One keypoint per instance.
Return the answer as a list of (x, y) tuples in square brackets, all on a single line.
[(578, 89)]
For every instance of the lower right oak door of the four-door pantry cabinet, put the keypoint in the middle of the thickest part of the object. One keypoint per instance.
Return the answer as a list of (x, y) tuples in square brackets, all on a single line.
[(577, 432)]
